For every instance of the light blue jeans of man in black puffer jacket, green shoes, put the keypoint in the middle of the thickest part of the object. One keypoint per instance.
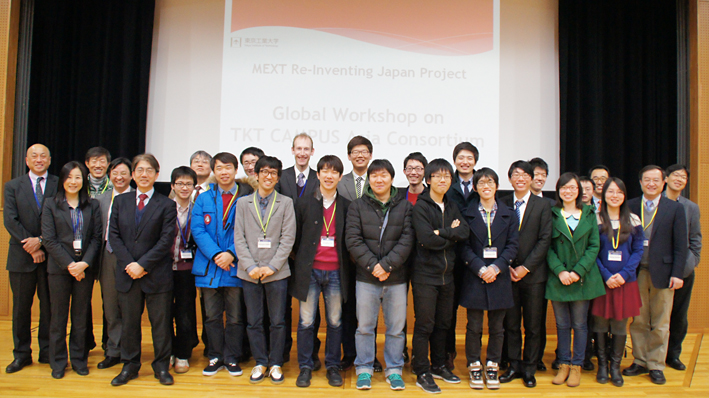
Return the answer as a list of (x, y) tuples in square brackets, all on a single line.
[(393, 302)]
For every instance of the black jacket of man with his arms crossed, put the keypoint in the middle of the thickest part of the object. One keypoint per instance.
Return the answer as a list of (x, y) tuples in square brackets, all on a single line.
[(434, 257)]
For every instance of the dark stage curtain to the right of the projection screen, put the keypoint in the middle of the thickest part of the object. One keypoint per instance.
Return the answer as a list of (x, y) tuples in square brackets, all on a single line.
[(618, 81)]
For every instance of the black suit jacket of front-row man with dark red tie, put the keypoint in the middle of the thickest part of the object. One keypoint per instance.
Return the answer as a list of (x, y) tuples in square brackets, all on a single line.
[(148, 244)]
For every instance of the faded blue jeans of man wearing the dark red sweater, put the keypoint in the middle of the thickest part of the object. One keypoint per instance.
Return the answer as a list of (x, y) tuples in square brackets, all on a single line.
[(327, 282)]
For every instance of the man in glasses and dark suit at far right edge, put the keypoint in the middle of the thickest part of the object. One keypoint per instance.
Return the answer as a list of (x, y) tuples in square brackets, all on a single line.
[(676, 179)]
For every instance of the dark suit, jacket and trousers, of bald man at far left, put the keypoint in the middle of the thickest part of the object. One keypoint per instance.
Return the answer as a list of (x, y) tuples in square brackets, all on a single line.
[(22, 220)]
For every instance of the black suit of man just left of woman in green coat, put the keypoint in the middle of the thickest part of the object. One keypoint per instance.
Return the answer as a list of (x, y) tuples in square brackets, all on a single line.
[(528, 294)]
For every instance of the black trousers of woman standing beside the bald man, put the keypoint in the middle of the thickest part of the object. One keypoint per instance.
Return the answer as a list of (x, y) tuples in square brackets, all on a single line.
[(69, 296)]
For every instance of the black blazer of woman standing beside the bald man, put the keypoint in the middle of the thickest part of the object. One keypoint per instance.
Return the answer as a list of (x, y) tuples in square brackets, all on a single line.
[(58, 234)]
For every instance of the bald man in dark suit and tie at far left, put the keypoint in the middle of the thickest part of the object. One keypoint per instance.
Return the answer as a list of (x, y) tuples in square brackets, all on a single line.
[(26, 259)]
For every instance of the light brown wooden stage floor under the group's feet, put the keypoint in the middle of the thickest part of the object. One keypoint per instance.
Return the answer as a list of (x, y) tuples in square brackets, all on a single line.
[(36, 380)]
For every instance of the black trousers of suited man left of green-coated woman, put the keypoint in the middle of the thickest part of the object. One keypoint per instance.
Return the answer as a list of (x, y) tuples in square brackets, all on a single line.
[(529, 305)]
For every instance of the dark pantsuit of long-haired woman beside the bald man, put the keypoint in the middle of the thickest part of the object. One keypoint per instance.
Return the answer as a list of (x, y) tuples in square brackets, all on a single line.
[(58, 234)]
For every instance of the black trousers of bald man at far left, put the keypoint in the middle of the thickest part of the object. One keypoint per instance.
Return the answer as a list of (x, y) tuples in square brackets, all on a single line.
[(24, 285)]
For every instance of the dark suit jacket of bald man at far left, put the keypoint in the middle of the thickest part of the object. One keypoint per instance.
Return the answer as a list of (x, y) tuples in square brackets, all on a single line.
[(22, 219)]
